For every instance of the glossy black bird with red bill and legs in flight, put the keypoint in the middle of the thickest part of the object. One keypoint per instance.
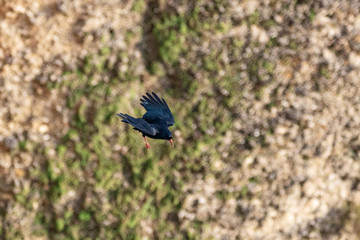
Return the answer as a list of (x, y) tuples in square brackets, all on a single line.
[(155, 122)]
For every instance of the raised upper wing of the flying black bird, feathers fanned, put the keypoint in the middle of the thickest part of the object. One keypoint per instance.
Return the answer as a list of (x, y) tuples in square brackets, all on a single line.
[(156, 109)]
